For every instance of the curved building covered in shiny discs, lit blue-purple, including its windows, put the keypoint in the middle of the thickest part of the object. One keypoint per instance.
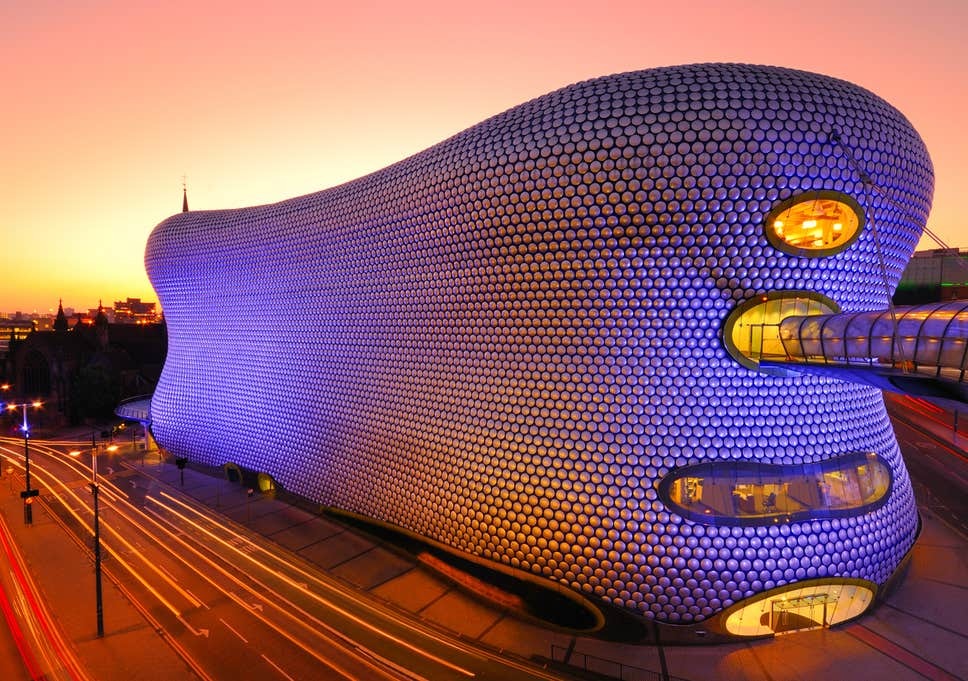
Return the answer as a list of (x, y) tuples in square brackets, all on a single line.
[(536, 342)]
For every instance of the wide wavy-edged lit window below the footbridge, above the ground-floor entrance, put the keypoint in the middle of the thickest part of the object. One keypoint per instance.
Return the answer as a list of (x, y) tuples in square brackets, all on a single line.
[(751, 493)]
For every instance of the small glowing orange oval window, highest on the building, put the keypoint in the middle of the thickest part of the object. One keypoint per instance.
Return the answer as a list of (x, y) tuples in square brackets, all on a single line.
[(815, 224)]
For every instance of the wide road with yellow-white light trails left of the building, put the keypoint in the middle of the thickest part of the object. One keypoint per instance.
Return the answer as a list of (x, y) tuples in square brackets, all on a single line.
[(232, 603)]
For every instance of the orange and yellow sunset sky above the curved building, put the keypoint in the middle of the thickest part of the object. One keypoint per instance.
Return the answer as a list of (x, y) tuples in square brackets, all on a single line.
[(107, 104)]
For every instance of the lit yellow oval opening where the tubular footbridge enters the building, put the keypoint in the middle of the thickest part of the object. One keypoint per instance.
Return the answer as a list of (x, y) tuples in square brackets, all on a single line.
[(751, 332)]
